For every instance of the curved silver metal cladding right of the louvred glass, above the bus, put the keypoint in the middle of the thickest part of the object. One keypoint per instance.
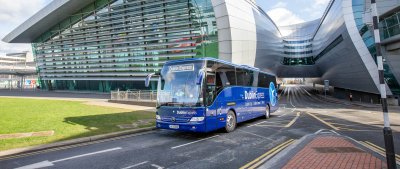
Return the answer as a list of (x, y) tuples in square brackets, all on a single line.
[(247, 35)]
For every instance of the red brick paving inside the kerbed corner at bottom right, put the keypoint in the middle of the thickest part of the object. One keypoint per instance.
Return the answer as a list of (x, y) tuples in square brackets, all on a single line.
[(309, 158)]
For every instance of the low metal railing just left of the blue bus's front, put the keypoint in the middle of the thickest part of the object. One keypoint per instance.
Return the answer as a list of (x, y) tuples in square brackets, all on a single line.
[(134, 95)]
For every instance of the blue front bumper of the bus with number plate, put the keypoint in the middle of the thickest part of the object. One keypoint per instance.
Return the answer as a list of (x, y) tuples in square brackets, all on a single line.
[(194, 127)]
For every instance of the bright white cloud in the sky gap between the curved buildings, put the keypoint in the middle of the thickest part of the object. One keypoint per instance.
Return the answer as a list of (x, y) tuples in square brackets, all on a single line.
[(283, 17)]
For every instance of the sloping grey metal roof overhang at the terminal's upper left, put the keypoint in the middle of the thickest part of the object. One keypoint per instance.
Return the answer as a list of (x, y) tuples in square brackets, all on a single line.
[(43, 20)]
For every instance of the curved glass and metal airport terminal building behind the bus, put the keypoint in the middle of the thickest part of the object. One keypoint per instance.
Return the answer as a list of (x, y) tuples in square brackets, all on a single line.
[(103, 45)]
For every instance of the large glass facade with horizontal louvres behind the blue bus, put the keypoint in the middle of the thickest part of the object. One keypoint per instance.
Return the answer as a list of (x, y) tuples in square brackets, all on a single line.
[(109, 44)]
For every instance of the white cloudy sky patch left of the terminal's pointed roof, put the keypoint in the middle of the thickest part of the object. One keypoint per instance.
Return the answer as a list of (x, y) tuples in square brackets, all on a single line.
[(12, 14)]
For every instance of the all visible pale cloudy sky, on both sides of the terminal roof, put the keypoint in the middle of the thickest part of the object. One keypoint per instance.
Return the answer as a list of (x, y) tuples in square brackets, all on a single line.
[(283, 12)]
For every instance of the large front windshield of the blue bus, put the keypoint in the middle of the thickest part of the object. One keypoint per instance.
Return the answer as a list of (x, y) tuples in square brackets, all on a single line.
[(179, 86)]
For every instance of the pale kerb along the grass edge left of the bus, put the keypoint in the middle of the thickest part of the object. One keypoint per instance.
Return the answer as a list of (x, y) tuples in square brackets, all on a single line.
[(16, 151)]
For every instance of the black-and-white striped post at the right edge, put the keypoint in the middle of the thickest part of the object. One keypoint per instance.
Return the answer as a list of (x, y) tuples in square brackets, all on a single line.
[(387, 131)]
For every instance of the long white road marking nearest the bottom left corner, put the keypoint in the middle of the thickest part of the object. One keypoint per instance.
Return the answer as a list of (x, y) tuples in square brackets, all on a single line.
[(51, 163)]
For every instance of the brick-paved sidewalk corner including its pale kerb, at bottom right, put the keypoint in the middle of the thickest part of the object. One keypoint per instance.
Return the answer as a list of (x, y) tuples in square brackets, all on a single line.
[(326, 151)]
